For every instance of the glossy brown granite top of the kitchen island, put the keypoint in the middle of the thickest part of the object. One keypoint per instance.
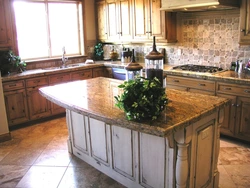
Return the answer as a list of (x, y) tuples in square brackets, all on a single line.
[(94, 97)]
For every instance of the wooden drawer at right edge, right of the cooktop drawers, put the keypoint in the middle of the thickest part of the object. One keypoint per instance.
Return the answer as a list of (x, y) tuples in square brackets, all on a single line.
[(233, 89)]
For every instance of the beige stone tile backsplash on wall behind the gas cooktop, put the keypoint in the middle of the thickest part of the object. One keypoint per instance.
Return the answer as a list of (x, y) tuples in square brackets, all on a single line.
[(206, 38)]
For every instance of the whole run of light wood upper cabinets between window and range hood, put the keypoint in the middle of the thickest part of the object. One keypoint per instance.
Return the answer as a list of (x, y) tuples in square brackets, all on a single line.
[(134, 21)]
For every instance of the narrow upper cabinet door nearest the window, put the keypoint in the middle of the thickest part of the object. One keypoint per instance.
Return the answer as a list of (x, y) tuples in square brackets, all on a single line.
[(101, 20)]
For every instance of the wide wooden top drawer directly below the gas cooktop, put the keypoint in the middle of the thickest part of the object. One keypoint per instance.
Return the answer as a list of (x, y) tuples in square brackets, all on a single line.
[(191, 83)]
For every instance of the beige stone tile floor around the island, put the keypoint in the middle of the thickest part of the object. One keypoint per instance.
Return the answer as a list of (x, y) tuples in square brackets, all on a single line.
[(37, 157)]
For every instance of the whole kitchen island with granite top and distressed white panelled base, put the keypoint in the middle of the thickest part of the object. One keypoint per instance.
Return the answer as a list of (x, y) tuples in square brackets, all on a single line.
[(179, 149)]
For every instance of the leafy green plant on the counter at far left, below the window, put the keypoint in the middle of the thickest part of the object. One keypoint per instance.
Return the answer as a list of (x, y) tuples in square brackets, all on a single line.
[(10, 62)]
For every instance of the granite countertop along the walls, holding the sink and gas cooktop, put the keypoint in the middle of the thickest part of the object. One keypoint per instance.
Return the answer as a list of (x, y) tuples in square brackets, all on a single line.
[(227, 76)]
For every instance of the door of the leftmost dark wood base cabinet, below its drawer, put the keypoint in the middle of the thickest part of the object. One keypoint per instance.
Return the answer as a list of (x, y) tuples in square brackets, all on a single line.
[(16, 106)]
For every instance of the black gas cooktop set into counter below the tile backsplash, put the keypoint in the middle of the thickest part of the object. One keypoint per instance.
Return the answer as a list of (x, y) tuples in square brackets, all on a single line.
[(198, 68)]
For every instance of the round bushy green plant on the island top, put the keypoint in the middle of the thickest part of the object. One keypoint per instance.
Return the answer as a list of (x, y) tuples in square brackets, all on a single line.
[(142, 99)]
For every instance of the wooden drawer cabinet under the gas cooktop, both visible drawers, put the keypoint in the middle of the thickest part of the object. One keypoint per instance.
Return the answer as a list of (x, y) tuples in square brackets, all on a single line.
[(191, 85)]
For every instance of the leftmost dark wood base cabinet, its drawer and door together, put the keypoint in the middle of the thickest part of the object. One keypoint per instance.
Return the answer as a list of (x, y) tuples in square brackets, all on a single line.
[(15, 102)]
